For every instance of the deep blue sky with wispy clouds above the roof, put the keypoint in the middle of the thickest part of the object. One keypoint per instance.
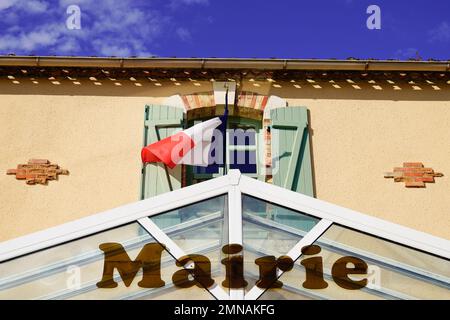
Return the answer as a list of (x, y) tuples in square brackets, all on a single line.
[(214, 28)]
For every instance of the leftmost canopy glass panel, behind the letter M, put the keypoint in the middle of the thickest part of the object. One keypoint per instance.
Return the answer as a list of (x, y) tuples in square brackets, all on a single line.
[(71, 271)]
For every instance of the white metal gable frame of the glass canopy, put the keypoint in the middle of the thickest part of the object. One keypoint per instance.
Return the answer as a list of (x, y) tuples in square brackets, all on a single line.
[(234, 185)]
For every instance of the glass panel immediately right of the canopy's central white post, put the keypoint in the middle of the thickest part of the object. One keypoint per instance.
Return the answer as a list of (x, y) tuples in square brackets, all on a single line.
[(265, 237)]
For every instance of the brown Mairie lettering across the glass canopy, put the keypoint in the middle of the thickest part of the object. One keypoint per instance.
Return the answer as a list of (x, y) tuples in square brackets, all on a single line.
[(199, 271)]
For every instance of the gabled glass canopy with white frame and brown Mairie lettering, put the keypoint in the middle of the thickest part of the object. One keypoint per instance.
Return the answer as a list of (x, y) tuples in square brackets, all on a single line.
[(229, 237)]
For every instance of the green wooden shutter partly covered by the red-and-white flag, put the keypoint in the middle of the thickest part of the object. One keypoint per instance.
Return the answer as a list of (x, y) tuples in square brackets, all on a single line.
[(160, 122)]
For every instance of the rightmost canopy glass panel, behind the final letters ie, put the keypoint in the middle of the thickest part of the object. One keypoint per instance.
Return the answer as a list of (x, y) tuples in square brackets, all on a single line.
[(394, 271)]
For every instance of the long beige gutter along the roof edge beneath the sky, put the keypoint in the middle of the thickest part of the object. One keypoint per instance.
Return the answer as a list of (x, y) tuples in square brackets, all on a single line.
[(225, 63)]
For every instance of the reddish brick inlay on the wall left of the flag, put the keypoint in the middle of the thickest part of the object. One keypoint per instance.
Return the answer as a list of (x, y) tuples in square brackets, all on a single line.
[(37, 171)]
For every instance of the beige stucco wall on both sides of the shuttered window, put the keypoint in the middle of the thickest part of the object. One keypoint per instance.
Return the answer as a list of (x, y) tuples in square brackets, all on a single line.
[(95, 131)]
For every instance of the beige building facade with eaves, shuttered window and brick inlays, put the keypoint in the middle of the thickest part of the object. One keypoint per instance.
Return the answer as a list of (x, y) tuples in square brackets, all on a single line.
[(370, 136)]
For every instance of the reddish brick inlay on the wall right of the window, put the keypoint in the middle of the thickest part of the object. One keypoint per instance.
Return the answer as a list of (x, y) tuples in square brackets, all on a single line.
[(414, 174)]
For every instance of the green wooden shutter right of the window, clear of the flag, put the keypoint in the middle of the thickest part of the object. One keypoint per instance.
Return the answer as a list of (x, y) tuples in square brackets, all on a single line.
[(293, 166)]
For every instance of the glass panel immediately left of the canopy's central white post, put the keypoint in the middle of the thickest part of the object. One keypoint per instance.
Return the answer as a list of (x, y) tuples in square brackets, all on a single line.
[(203, 230)]
